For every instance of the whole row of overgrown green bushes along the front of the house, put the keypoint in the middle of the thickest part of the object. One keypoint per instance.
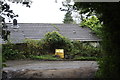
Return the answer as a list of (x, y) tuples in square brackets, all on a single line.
[(45, 48)]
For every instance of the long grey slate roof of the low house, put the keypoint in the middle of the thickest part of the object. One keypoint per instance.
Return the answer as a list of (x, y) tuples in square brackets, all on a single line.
[(38, 30)]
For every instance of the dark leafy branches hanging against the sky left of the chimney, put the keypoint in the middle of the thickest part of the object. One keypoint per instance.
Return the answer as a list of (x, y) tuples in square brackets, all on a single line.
[(6, 11)]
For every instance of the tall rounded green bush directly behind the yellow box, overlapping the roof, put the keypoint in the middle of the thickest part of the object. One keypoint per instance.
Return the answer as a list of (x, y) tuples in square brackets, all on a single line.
[(54, 40)]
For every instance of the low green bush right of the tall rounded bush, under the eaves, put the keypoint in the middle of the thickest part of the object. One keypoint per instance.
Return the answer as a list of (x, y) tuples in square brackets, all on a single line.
[(85, 49)]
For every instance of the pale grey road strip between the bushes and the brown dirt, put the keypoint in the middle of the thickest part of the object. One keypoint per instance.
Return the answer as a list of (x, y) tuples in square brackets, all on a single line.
[(32, 64)]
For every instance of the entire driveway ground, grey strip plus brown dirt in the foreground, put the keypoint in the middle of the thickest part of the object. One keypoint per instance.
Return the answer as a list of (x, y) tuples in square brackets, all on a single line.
[(51, 69)]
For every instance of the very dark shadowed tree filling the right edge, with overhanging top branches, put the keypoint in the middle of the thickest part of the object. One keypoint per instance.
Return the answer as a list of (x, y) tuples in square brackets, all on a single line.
[(109, 14)]
